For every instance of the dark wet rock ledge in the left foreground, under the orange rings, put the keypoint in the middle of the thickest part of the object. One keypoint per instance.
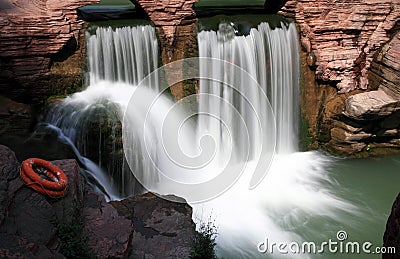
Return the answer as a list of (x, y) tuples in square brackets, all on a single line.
[(83, 224)]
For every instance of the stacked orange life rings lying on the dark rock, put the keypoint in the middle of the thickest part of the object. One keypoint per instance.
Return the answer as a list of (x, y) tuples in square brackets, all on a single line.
[(44, 177)]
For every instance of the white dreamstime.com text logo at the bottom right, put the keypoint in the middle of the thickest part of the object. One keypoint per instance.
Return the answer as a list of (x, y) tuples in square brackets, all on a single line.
[(340, 245)]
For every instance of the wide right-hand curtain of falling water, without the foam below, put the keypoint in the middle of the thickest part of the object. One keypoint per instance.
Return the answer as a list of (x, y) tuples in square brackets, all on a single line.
[(269, 56)]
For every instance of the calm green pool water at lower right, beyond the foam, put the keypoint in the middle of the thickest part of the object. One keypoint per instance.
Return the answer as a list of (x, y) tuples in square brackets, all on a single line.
[(372, 184)]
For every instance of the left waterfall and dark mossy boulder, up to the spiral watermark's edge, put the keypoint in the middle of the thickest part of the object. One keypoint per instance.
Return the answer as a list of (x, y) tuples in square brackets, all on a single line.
[(118, 59)]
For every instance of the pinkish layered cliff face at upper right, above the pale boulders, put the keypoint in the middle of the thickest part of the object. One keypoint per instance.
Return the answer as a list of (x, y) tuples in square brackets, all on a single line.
[(341, 37)]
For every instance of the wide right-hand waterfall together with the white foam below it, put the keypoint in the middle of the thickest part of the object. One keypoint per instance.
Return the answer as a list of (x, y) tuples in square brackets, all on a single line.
[(297, 188)]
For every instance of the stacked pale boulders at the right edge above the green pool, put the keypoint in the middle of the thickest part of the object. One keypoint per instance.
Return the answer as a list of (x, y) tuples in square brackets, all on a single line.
[(371, 120)]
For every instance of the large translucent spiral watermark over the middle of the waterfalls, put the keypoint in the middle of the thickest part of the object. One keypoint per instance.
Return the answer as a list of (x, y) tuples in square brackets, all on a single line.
[(184, 173)]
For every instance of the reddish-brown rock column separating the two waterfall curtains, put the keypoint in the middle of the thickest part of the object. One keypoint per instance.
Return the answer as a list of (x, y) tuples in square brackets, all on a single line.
[(176, 25)]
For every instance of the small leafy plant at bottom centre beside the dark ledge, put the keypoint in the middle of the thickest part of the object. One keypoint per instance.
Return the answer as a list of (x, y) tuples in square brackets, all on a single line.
[(204, 244)]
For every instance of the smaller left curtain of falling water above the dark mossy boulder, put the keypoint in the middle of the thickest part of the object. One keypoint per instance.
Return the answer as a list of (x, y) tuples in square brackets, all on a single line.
[(126, 54)]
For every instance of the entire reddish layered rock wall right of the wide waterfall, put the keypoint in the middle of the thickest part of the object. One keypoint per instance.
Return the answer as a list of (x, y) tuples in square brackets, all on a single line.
[(340, 43)]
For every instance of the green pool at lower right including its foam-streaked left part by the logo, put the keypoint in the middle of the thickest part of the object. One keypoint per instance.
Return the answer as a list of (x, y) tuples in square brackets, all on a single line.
[(371, 185)]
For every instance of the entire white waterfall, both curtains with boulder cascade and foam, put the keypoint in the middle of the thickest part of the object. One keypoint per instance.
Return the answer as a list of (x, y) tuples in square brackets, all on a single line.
[(123, 134)]
